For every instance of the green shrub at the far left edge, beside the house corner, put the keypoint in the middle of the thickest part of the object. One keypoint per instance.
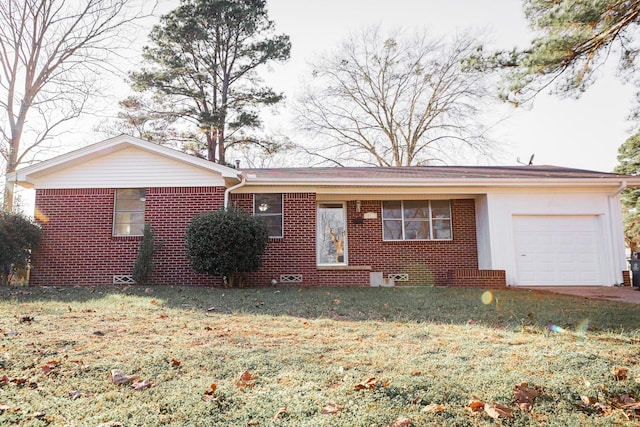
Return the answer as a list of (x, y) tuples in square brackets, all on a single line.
[(18, 237)]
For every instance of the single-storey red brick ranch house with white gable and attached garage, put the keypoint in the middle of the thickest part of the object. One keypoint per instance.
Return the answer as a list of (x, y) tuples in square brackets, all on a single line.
[(473, 226)]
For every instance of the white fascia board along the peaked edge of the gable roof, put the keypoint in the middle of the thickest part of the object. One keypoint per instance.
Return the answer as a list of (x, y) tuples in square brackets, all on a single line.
[(22, 176)]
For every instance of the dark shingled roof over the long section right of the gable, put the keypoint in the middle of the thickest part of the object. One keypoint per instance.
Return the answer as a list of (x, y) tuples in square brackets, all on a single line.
[(428, 172)]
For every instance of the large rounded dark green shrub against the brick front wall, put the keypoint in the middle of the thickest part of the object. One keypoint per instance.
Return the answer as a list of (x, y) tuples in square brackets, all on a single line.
[(226, 243)]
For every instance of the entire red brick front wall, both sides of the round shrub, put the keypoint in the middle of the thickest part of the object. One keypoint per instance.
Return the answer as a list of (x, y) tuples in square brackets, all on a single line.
[(79, 248)]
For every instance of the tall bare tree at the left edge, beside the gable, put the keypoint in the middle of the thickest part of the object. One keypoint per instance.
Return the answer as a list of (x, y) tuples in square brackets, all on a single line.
[(51, 52)]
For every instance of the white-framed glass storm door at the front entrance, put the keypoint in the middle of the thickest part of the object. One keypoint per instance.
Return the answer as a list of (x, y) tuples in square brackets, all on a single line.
[(331, 234)]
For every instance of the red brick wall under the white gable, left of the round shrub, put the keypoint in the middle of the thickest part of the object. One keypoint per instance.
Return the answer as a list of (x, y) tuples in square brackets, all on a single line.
[(78, 246)]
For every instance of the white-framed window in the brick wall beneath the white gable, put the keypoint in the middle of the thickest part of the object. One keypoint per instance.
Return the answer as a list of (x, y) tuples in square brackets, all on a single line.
[(128, 216)]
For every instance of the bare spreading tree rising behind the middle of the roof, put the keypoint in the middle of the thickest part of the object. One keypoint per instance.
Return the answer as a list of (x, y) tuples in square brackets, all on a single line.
[(394, 101)]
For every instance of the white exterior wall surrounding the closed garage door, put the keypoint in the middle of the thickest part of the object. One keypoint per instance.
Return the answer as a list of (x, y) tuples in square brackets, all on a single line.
[(495, 231)]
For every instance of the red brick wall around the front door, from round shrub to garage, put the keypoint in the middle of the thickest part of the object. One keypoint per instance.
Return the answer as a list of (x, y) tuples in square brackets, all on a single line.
[(426, 262)]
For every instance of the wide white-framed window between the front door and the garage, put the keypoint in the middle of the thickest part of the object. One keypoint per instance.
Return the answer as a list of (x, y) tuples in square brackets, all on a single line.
[(416, 220)]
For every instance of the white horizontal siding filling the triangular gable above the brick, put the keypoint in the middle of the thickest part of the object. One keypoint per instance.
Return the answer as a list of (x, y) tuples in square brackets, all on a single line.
[(127, 168)]
